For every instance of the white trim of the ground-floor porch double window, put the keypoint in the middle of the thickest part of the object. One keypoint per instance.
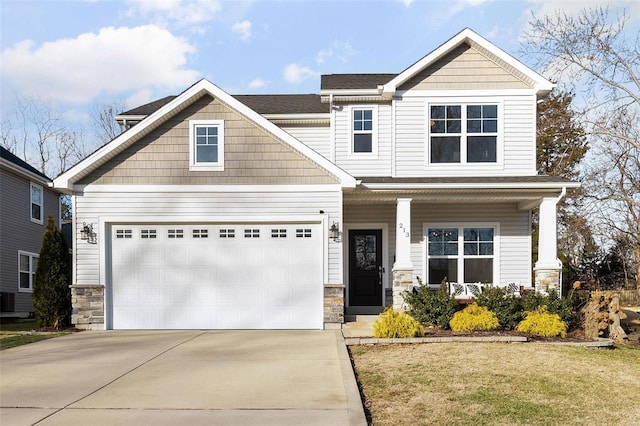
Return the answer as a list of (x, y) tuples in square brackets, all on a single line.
[(459, 226)]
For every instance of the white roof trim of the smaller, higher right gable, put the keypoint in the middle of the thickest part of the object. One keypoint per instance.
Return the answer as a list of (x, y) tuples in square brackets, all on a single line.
[(480, 45)]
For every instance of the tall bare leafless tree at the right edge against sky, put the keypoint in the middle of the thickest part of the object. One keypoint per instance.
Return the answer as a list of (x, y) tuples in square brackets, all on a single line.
[(591, 54)]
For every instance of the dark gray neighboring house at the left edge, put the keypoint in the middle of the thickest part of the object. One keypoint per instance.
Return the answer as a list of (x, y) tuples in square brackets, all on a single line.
[(26, 201)]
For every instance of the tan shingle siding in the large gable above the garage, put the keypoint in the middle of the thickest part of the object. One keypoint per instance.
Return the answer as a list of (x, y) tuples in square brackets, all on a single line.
[(251, 155)]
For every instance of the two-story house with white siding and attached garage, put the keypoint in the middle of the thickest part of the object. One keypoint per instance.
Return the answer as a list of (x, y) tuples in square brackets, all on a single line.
[(286, 211)]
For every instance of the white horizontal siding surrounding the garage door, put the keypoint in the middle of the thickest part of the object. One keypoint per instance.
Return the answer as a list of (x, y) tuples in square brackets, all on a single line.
[(98, 207)]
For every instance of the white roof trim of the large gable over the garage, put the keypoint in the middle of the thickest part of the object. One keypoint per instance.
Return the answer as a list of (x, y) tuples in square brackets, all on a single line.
[(177, 104)]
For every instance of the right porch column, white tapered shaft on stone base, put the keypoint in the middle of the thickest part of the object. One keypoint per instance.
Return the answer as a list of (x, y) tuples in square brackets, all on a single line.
[(548, 267)]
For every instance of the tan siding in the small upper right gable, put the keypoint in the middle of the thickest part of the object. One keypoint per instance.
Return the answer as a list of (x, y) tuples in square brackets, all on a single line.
[(465, 68)]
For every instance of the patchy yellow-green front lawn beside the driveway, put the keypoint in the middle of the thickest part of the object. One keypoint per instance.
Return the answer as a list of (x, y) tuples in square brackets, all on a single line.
[(498, 384)]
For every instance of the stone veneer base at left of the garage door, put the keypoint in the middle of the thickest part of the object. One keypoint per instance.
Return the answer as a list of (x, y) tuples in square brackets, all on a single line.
[(88, 307)]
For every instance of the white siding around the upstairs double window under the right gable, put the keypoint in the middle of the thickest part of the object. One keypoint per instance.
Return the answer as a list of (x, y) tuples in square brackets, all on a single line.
[(517, 120)]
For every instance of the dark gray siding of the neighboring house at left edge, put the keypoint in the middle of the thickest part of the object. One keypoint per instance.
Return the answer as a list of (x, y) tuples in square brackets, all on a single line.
[(18, 232)]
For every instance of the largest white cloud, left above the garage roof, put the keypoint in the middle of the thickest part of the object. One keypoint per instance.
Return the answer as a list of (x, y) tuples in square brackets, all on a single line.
[(114, 60)]
